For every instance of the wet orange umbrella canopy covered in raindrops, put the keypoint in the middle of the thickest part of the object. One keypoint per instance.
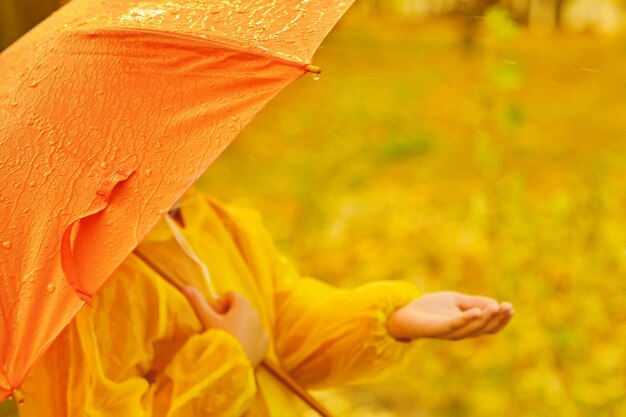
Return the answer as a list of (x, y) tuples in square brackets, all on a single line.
[(109, 111)]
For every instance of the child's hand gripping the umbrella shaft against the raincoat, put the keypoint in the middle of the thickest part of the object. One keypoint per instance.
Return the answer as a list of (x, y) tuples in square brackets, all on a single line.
[(235, 315)]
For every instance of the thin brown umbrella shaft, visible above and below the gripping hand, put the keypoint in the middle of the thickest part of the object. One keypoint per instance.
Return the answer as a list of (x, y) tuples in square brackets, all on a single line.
[(273, 368)]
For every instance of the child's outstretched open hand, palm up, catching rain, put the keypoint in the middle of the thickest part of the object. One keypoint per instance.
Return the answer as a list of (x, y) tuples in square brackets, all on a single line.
[(449, 315)]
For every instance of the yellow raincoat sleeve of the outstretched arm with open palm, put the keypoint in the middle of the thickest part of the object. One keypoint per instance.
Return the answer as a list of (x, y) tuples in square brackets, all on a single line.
[(323, 335)]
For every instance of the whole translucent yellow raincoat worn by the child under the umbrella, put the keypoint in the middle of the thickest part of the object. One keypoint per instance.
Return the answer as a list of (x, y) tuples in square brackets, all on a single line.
[(140, 351)]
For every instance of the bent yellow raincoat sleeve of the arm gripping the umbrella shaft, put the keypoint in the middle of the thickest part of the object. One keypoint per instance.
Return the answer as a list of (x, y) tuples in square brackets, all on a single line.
[(144, 354)]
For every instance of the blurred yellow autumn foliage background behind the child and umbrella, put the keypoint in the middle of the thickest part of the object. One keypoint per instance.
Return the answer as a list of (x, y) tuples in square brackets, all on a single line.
[(476, 145)]
